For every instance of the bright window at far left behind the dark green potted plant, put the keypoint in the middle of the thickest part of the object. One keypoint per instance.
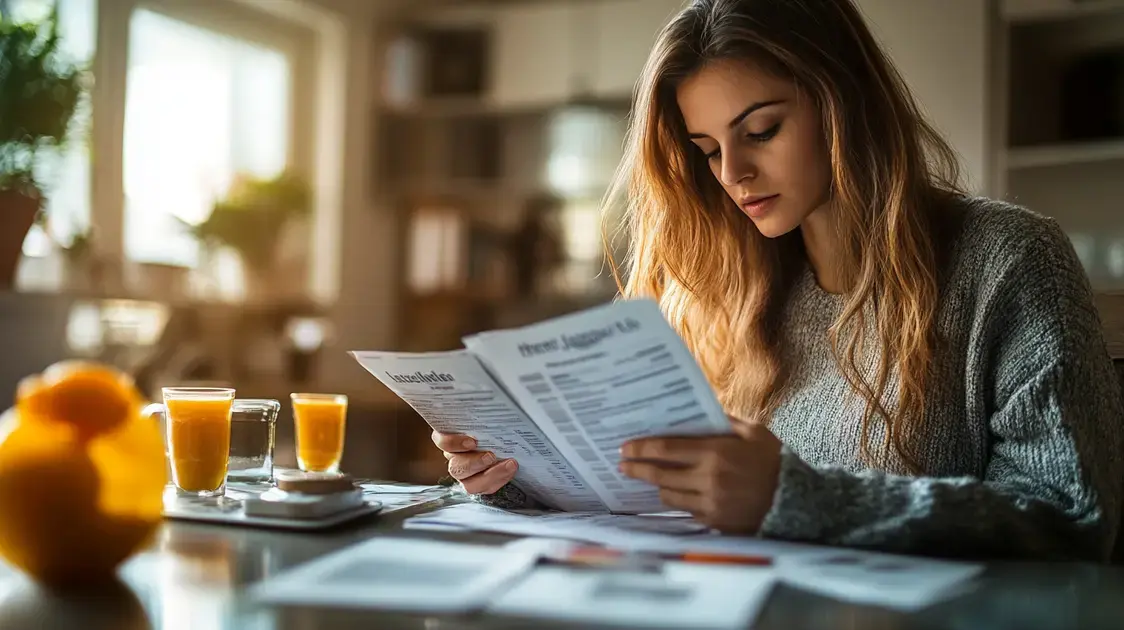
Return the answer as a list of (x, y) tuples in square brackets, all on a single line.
[(65, 175)]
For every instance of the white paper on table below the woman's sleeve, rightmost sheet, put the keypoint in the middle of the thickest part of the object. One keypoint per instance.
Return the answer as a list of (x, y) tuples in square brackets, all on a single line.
[(902, 583)]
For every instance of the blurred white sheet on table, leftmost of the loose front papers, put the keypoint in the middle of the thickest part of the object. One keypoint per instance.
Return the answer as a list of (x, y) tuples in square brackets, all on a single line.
[(401, 574)]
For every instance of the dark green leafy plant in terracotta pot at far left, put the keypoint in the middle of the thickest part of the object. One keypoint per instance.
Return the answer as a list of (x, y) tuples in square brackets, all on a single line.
[(39, 94)]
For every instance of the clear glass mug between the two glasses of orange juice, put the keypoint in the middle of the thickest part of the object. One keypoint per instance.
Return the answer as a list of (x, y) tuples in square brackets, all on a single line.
[(253, 429)]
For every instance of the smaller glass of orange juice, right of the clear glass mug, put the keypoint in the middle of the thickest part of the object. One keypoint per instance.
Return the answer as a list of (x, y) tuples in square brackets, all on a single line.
[(320, 420)]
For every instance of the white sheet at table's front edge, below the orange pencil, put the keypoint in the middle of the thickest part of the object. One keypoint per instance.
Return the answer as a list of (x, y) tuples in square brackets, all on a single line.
[(679, 597)]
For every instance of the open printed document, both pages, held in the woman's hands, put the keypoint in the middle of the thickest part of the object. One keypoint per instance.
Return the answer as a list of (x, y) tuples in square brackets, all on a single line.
[(563, 397)]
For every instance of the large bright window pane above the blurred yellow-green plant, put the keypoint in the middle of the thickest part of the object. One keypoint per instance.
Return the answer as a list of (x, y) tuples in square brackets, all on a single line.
[(202, 109)]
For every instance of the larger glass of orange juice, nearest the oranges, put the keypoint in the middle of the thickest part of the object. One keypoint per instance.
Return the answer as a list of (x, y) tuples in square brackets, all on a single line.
[(198, 422)]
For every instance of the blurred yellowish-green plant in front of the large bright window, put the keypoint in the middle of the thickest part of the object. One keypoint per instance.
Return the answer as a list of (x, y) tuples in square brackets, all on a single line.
[(252, 220)]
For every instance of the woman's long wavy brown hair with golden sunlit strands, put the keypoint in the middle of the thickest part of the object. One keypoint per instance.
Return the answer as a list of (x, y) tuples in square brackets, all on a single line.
[(723, 285)]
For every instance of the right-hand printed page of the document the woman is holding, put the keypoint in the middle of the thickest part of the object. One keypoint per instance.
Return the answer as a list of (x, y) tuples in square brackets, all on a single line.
[(600, 379)]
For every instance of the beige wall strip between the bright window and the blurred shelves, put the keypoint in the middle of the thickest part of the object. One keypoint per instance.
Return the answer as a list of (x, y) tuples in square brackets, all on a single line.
[(358, 276)]
